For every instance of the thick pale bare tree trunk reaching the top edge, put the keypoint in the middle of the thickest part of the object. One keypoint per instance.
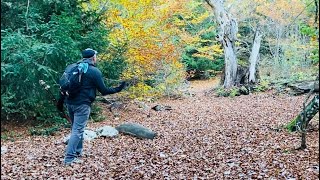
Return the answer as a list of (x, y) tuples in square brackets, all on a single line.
[(228, 29)]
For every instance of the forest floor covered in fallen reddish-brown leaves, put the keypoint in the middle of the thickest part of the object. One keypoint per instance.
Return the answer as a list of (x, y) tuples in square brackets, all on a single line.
[(202, 137)]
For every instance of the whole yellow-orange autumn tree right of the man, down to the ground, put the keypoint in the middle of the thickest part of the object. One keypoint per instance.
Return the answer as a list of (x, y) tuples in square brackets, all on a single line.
[(145, 32)]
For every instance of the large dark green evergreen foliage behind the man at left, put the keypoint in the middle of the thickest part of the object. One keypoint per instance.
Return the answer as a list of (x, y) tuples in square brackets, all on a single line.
[(37, 45)]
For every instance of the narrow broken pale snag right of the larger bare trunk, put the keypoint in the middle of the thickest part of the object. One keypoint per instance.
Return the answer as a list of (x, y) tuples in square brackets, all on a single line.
[(254, 56)]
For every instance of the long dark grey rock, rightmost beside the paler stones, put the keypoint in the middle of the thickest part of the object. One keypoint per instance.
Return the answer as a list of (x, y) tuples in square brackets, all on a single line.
[(137, 130)]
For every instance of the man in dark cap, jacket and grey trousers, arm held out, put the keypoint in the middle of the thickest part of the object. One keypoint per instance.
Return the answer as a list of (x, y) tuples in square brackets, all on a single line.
[(79, 107)]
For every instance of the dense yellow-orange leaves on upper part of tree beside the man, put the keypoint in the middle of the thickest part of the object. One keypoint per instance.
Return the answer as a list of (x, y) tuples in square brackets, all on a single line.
[(143, 27)]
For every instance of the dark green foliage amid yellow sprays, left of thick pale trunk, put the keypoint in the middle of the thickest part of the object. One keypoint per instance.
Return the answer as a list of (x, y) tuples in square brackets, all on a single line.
[(205, 32)]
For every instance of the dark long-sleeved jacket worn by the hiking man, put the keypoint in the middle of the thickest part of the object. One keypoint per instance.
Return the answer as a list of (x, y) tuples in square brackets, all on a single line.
[(92, 81)]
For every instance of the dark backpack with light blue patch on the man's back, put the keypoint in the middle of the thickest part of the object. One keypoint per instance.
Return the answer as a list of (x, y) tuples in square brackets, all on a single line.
[(71, 80)]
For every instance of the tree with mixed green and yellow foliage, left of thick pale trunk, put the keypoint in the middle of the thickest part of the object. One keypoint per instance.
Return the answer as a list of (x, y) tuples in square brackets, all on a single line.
[(202, 54)]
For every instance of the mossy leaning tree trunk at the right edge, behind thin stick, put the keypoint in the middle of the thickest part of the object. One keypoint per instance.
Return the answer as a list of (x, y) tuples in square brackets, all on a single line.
[(311, 110)]
